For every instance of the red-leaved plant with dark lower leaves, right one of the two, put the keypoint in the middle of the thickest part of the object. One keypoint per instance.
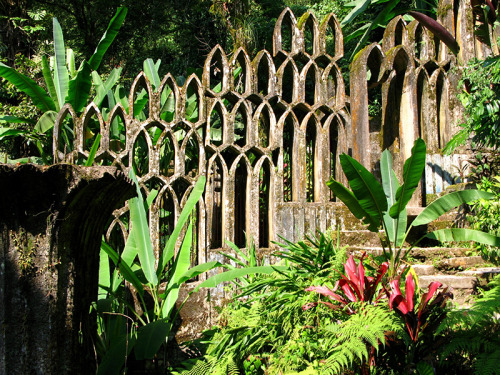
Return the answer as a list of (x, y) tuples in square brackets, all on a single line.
[(417, 321)]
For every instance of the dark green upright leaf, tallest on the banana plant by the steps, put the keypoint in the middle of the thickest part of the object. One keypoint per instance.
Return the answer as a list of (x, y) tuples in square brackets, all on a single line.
[(412, 173)]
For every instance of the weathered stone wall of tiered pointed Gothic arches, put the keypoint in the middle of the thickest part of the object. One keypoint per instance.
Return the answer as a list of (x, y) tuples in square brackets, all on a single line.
[(267, 131)]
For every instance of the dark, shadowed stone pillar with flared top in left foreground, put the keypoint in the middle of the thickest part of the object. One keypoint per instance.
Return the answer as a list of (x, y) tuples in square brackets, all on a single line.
[(51, 223)]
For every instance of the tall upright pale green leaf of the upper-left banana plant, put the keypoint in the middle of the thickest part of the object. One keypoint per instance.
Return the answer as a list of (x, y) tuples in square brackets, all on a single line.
[(61, 76)]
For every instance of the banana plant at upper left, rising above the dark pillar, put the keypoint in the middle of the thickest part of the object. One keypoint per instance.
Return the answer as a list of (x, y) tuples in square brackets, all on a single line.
[(63, 82)]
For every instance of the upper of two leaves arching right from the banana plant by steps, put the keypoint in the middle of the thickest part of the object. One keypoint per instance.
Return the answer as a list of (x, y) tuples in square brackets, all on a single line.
[(447, 202)]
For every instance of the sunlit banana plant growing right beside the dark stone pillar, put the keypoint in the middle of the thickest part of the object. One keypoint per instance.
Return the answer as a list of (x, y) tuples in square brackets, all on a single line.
[(158, 281)]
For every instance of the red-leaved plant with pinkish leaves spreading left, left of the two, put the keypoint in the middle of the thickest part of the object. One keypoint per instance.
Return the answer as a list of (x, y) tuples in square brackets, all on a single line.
[(355, 285)]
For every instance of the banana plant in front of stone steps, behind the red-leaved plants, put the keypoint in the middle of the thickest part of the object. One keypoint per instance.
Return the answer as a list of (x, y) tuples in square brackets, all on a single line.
[(382, 207)]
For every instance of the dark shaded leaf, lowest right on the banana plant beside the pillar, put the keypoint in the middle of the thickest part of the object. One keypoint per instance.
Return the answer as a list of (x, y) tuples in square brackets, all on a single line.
[(150, 337)]
